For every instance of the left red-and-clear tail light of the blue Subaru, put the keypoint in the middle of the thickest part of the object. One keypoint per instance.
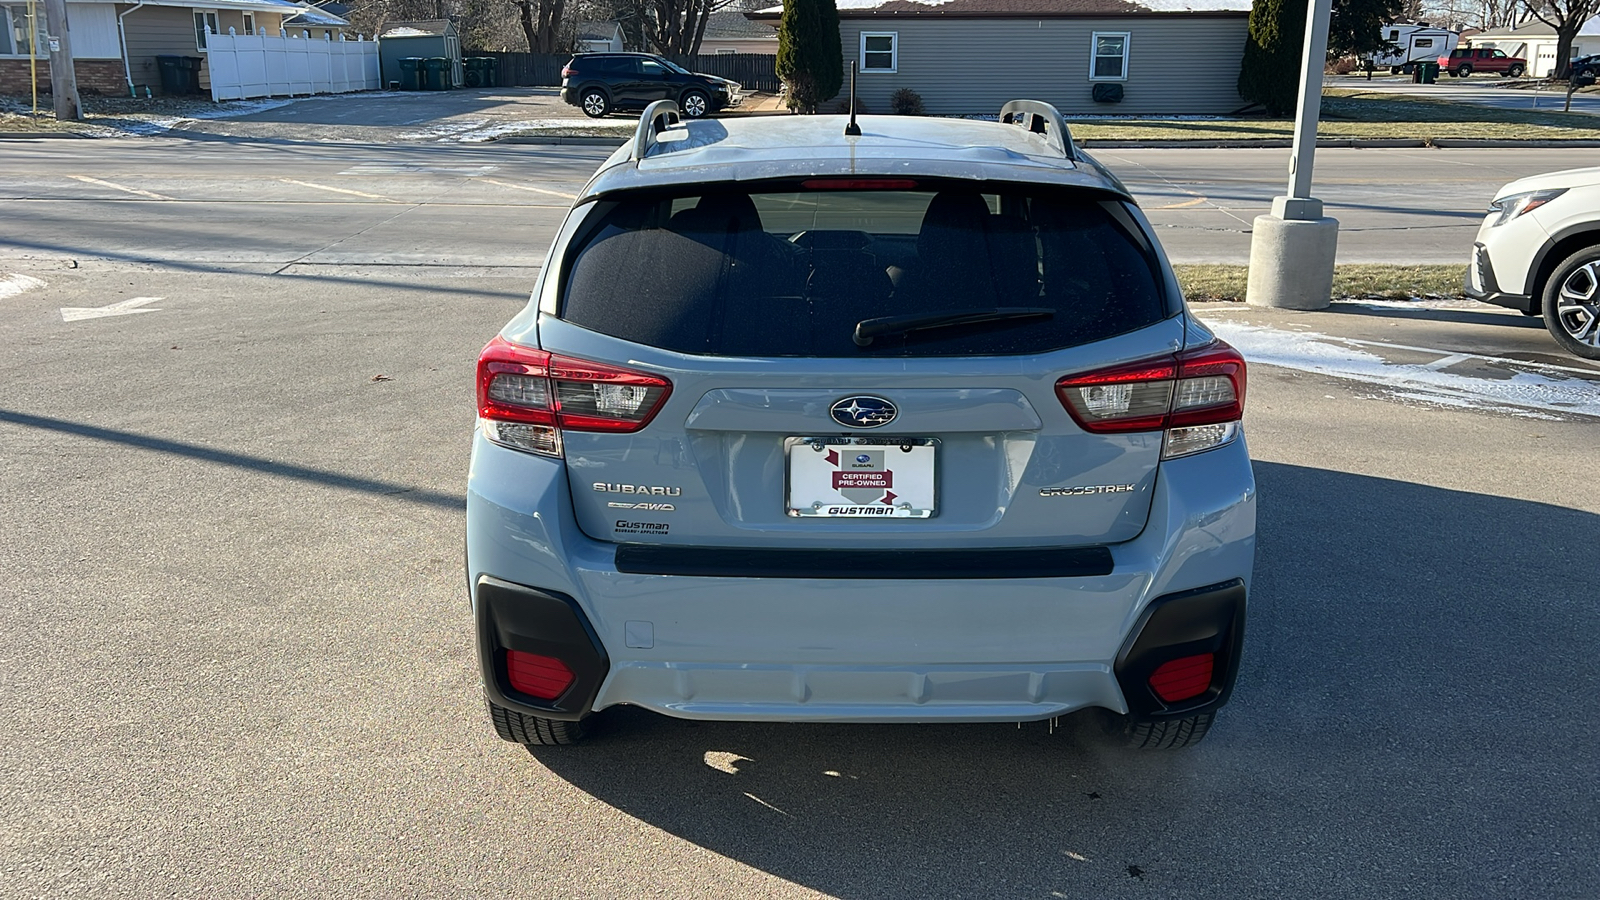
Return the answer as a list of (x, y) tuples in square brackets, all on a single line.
[(527, 398)]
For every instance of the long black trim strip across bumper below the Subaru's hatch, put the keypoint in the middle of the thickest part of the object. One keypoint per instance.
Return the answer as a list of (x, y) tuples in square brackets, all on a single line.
[(911, 565)]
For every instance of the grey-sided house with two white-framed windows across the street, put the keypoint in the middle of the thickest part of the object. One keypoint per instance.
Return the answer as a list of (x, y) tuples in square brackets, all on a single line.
[(970, 57)]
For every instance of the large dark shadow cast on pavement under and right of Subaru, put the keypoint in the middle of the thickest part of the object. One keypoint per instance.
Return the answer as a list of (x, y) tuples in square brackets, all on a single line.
[(1414, 717)]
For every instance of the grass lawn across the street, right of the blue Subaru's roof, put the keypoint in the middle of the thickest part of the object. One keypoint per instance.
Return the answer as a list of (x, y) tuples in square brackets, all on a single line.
[(1350, 113)]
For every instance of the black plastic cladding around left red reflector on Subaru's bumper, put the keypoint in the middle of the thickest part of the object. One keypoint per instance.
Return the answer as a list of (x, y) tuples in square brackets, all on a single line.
[(513, 617)]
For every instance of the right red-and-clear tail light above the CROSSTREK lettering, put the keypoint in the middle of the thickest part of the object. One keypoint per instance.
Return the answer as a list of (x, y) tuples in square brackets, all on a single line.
[(1196, 396)]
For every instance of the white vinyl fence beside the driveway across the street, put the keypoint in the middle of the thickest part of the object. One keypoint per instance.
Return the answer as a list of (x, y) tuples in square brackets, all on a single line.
[(257, 65)]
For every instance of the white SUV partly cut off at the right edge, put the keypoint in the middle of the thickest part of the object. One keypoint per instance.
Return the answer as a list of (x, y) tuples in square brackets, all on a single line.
[(1540, 252)]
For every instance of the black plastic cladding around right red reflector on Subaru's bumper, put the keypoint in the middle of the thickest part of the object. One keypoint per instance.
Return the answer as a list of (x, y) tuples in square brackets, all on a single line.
[(1206, 621)]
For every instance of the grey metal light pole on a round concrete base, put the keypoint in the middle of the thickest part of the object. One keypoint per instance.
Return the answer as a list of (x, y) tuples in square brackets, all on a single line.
[(1292, 249)]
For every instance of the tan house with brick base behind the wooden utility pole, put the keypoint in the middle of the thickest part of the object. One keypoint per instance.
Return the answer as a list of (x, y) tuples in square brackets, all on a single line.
[(116, 46)]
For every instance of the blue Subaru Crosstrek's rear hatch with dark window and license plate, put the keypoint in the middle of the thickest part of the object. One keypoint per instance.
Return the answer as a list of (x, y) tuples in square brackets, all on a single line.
[(770, 360)]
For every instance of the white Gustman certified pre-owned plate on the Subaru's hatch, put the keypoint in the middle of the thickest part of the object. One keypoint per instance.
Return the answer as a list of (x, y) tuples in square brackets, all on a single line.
[(862, 478)]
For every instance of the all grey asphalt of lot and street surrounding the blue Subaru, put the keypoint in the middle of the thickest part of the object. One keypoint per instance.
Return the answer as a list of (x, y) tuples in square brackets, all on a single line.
[(234, 637)]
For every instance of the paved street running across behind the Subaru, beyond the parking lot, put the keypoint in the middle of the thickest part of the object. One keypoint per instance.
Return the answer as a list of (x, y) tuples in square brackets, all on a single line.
[(265, 206)]
